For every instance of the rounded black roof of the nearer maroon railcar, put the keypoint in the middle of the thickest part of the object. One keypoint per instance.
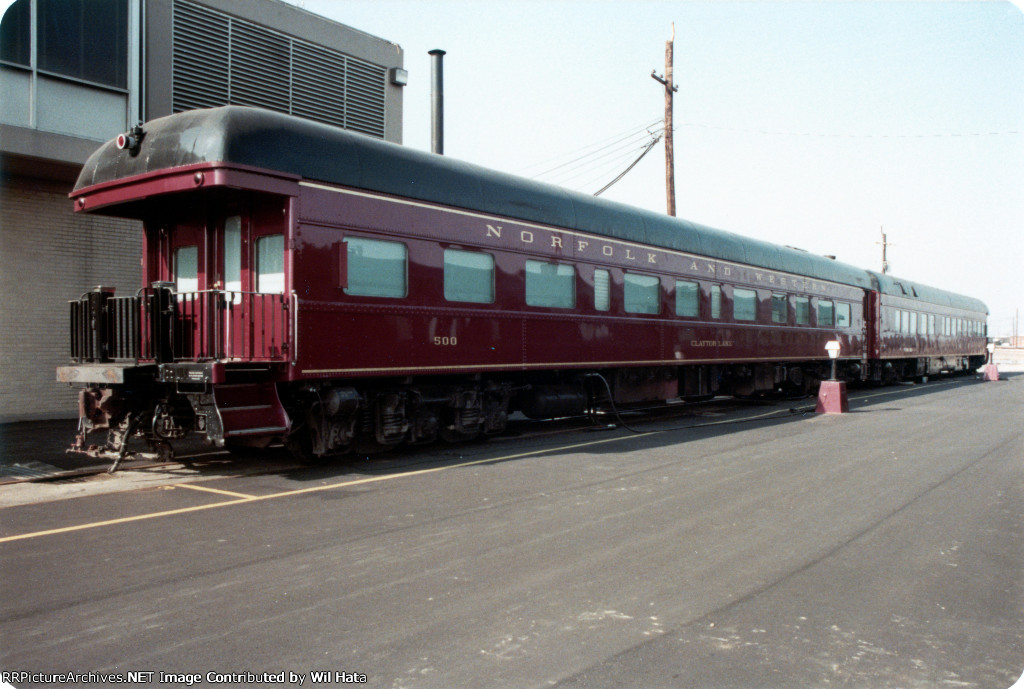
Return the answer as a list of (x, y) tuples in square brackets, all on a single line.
[(318, 152)]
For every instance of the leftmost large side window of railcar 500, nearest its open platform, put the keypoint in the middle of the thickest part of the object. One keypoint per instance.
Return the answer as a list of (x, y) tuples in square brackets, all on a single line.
[(376, 269)]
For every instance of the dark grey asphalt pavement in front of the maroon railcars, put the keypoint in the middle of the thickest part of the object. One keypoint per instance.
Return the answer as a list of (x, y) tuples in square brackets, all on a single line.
[(746, 547)]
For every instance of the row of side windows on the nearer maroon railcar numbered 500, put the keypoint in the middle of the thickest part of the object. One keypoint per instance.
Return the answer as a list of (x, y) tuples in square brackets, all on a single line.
[(378, 269)]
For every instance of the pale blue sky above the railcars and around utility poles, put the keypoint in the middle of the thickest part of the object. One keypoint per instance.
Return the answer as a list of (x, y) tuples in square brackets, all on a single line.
[(810, 124)]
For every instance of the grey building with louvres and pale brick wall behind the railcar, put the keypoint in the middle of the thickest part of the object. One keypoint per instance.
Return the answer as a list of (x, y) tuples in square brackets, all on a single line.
[(77, 73)]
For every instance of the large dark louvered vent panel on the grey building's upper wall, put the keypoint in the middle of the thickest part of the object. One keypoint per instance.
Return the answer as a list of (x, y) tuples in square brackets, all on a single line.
[(219, 60)]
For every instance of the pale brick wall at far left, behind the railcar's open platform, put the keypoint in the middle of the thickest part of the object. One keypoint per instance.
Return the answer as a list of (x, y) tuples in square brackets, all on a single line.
[(50, 255)]
